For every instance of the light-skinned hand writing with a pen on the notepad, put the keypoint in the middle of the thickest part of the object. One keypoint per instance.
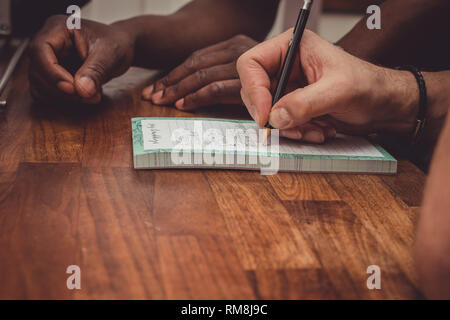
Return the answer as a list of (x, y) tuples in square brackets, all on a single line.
[(329, 90)]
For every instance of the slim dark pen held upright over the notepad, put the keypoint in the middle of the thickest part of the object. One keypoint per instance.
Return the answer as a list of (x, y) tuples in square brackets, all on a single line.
[(289, 60)]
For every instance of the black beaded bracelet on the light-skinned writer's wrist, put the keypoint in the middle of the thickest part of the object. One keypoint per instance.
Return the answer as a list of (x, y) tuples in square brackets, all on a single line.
[(423, 102)]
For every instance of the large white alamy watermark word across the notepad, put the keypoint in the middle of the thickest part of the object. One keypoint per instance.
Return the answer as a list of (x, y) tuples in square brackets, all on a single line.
[(221, 147)]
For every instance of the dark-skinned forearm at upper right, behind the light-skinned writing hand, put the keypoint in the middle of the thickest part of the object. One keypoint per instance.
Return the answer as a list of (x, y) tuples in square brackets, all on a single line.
[(412, 32)]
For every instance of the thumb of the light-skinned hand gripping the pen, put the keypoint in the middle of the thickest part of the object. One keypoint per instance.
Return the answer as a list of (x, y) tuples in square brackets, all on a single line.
[(302, 105)]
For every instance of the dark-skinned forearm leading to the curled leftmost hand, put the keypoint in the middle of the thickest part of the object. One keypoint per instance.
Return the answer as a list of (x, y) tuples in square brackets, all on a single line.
[(164, 41)]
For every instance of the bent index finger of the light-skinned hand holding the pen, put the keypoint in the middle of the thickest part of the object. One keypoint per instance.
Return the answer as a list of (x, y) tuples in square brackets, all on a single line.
[(255, 68)]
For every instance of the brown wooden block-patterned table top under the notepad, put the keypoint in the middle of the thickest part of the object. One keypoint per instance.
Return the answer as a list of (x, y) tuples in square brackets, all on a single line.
[(70, 196)]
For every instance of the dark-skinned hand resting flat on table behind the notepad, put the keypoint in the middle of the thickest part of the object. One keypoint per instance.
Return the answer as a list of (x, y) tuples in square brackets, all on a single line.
[(208, 77)]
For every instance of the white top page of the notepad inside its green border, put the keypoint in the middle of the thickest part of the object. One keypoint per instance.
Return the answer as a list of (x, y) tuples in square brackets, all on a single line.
[(190, 135)]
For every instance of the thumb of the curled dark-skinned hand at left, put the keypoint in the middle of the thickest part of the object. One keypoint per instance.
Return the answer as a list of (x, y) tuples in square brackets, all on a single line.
[(94, 72)]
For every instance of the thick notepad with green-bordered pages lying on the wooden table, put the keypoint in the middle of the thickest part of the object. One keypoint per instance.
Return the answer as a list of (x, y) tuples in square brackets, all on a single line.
[(169, 143)]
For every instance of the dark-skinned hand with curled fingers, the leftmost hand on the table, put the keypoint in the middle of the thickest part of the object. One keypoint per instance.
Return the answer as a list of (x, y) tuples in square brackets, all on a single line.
[(74, 64)]
